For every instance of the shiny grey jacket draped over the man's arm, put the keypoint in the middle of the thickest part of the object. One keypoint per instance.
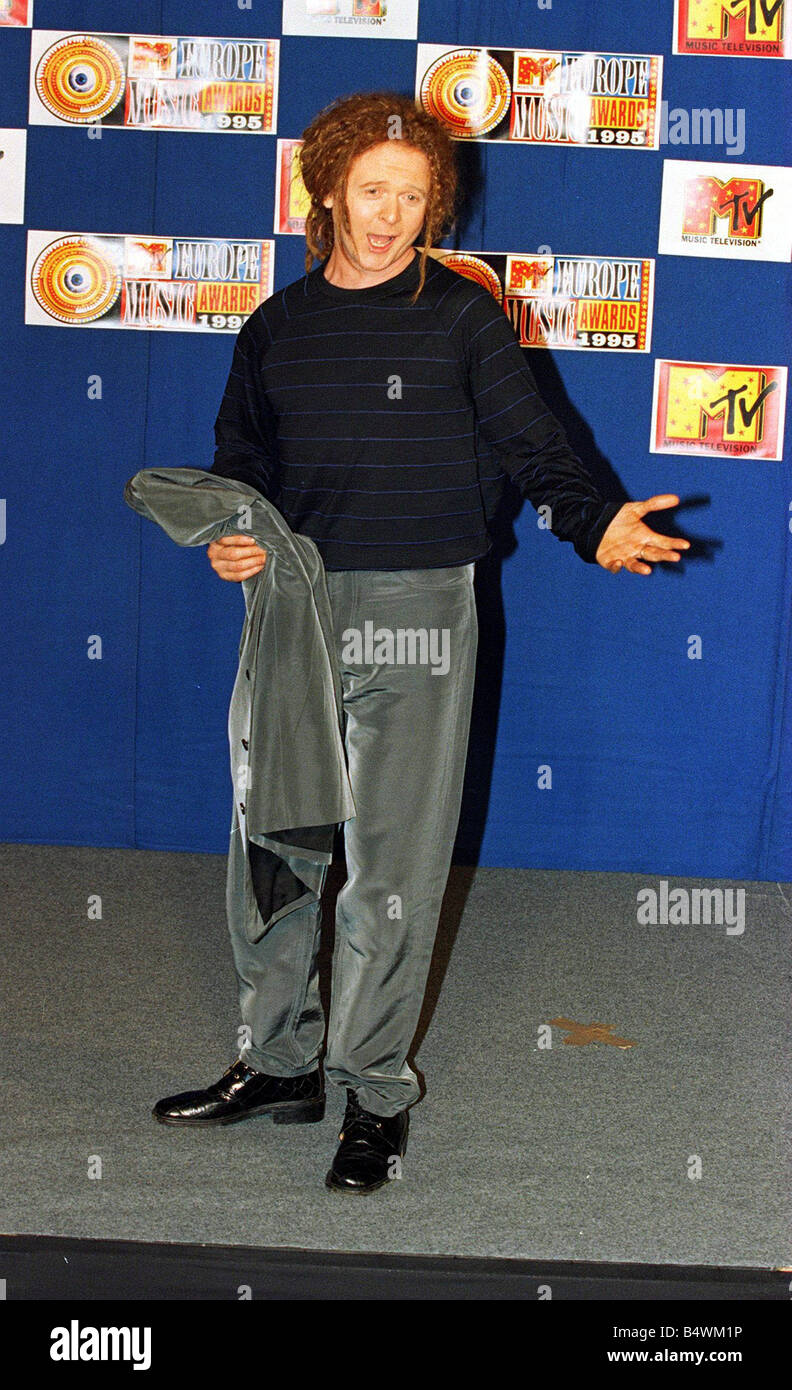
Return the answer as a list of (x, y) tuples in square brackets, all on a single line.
[(288, 762)]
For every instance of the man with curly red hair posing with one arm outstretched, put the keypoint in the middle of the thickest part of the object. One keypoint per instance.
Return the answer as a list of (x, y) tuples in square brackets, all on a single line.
[(355, 405)]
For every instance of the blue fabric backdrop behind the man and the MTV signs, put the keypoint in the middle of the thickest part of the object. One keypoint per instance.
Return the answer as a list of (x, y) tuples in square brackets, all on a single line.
[(661, 764)]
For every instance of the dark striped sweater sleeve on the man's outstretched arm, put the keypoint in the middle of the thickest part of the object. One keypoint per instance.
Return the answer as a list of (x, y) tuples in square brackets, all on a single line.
[(525, 436)]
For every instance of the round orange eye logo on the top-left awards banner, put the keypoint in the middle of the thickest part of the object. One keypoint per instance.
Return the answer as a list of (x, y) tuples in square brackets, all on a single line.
[(80, 79)]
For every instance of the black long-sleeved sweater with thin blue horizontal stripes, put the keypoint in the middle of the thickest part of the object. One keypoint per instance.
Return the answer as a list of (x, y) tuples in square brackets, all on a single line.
[(362, 418)]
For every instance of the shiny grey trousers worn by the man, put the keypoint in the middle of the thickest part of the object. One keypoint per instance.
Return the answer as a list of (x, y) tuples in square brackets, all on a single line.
[(406, 647)]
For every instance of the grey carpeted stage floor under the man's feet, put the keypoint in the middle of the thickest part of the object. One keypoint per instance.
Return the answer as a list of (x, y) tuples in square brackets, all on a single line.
[(675, 1150)]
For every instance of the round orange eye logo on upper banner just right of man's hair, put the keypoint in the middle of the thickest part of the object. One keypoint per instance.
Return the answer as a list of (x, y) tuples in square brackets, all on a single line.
[(468, 91)]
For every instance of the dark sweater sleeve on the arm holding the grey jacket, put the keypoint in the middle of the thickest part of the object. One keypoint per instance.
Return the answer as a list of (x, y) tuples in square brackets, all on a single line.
[(245, 429)]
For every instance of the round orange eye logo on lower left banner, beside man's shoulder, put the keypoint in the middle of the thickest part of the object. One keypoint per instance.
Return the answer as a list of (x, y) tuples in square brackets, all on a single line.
[(76, 281)]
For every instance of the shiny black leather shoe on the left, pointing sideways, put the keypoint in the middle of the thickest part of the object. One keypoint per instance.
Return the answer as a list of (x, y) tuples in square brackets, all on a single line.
[(241, 1092)]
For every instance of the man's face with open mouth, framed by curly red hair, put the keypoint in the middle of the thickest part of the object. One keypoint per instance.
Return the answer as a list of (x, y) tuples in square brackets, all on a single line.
[(387, 195)]
